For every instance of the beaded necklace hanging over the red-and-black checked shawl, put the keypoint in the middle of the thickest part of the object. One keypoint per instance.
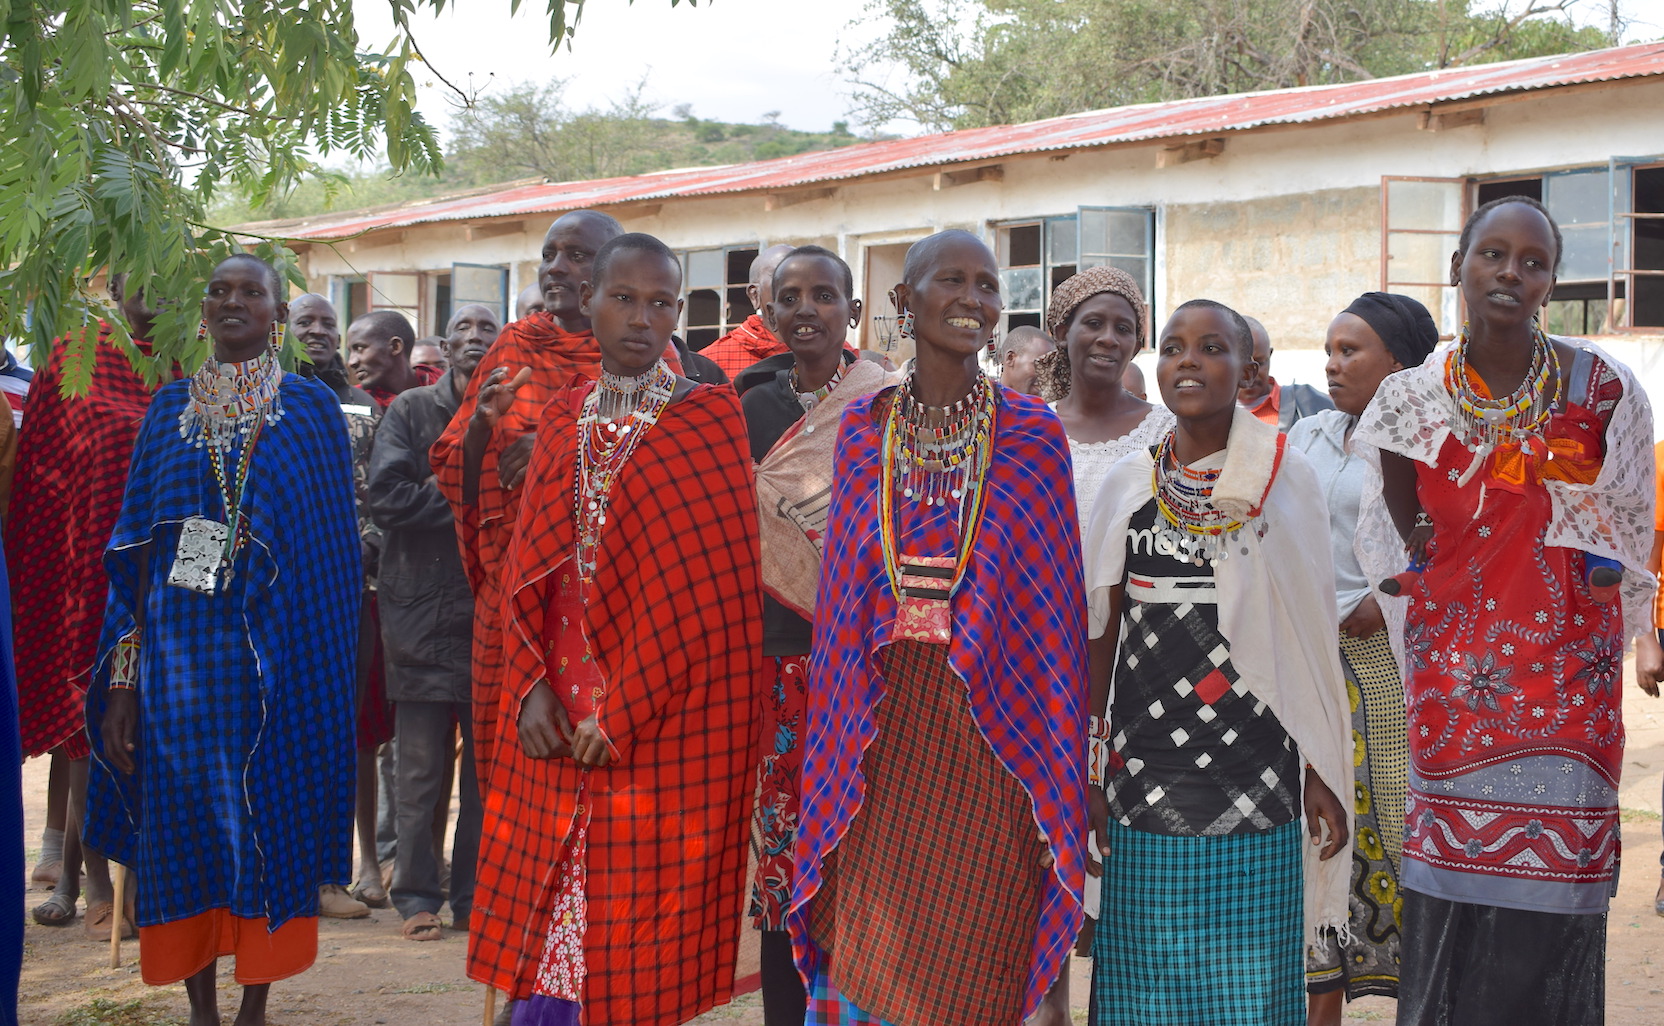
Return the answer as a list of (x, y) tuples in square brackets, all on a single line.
[(615, 418)]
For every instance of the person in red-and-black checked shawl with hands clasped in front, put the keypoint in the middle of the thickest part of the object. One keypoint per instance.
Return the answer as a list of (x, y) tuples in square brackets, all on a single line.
[(613, 854)]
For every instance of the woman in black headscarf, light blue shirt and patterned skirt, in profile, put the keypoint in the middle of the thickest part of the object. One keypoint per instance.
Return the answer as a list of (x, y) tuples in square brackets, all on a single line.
[(1375, 337)]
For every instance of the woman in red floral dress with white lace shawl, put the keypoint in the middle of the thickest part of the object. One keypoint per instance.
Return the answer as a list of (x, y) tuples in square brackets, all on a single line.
[(1508, 461)]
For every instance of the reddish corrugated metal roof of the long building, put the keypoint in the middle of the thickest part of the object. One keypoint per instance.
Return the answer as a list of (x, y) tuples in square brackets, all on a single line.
[(1147, 122)]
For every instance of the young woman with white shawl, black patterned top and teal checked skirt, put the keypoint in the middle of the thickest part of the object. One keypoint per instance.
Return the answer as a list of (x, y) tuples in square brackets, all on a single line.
[(1221, 728)]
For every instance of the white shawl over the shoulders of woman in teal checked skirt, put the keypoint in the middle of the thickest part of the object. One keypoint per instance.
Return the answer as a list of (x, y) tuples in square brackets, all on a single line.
[(1277, 613)]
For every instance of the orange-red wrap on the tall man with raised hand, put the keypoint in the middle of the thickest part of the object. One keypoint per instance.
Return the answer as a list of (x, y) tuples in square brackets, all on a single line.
[(485, 530)]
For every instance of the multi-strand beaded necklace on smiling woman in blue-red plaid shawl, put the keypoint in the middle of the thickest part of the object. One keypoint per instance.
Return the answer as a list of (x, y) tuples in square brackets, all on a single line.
[(959, 471)]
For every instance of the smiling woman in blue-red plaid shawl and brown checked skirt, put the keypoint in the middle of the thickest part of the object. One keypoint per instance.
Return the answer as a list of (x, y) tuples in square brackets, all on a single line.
[(941, 847)]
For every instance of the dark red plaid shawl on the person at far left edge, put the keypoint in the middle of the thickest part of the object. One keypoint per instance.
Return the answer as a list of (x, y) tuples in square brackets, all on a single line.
[(71, 471)]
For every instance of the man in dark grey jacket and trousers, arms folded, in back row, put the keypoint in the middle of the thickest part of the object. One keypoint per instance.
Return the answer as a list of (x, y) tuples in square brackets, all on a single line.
[(427, 629)]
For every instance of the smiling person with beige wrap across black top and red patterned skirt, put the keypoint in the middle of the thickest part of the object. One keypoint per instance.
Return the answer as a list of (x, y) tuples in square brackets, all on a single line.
[(793, 405)]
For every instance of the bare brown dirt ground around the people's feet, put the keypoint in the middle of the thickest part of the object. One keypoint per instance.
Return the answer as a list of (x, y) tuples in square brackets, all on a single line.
[(369, 977)]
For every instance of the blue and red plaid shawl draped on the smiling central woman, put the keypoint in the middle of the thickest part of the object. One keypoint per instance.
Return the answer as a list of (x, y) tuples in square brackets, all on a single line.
[(1019, 646)]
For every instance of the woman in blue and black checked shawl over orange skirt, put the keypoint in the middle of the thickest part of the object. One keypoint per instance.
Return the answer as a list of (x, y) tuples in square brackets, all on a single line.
[(222, 704)]
